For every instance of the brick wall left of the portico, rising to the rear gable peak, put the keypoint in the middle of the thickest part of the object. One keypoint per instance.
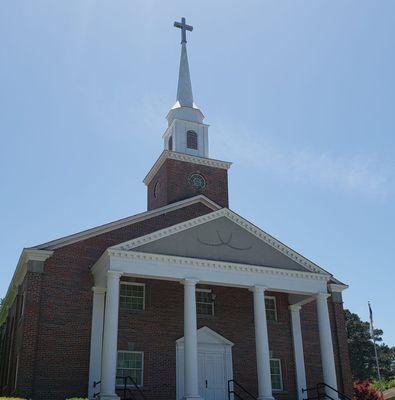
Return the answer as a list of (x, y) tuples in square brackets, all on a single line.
[(62, 337)]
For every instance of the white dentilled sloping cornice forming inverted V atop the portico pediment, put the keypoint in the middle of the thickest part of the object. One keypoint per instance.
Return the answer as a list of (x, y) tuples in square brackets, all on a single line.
[(224, 212)]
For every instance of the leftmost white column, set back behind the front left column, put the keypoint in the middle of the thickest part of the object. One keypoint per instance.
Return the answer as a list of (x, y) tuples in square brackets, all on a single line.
[(96, 338)]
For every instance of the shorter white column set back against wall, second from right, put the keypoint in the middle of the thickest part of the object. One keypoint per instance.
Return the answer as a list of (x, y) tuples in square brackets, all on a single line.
[(298, 350)]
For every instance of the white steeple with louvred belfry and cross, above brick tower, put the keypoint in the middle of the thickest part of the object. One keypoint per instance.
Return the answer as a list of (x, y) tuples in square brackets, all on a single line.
[(186, 132)]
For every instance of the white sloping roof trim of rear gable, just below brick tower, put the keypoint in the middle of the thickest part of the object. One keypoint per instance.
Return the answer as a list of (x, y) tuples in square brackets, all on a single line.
[(54, 244)]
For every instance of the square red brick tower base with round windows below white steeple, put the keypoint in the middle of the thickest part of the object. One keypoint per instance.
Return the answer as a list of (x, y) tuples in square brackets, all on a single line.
[(173, 177)]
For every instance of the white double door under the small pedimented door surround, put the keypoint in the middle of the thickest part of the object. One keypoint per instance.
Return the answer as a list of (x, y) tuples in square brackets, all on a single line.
[(212, 375)]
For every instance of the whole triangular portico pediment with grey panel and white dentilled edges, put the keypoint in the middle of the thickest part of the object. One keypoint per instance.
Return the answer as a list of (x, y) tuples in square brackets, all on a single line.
[(221, 236)]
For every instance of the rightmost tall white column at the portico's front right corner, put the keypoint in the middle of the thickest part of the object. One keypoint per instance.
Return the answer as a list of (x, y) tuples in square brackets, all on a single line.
[(327, 357)]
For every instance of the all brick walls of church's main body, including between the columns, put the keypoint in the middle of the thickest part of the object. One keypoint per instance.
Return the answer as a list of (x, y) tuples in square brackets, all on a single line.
[(54, 338)]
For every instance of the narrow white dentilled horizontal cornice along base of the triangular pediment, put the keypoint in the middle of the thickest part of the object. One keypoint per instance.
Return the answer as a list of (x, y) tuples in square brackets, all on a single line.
[(214, 265)]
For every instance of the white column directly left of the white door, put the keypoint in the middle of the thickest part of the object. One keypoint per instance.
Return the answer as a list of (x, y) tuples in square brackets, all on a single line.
[(191, 384)]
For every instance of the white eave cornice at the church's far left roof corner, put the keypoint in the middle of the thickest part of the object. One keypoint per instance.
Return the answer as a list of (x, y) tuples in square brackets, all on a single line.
[(19, 274)]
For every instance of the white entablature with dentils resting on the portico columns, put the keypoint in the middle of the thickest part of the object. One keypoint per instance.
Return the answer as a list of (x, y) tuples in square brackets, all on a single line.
[(172, 268)]
